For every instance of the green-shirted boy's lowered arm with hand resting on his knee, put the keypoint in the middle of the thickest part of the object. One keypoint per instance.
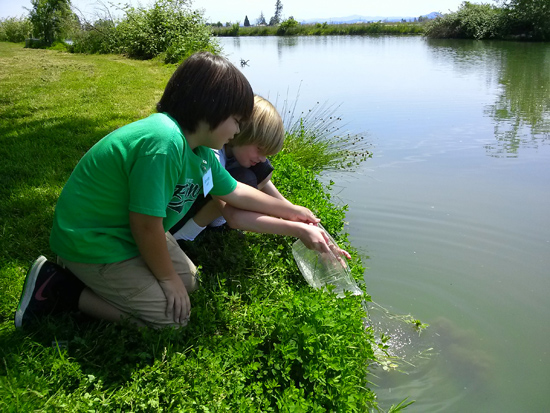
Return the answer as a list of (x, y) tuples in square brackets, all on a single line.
[(150, 238)]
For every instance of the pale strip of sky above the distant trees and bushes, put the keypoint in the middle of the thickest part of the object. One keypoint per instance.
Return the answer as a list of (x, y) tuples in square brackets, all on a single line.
[(236, 10)]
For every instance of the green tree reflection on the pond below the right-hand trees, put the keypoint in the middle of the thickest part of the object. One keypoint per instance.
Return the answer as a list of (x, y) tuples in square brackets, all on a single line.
[(521, 112)]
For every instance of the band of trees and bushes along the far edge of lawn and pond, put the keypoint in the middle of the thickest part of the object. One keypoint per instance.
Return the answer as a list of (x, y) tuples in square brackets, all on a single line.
[(172, 30)]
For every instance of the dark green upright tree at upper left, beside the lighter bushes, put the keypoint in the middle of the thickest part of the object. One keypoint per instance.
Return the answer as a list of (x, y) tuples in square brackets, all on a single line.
[(50, 19)]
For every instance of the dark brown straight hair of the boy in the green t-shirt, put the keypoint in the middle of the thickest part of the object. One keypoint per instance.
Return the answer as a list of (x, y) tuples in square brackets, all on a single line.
[(206, 87)]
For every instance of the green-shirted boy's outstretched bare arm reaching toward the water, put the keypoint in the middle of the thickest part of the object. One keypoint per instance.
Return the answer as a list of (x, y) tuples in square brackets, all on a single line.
[(250, 199)]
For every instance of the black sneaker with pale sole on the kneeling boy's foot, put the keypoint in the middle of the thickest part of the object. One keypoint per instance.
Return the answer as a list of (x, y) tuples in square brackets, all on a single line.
[(38, 298)]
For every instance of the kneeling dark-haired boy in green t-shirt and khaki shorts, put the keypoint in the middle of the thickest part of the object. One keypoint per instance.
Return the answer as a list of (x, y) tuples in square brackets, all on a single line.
[(112, 218)]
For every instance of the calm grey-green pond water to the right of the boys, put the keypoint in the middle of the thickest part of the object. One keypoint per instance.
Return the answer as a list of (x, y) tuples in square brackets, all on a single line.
[(452, 211)]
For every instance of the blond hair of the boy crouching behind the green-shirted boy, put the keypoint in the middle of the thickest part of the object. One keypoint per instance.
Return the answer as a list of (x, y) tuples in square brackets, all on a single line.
[(264, 128)]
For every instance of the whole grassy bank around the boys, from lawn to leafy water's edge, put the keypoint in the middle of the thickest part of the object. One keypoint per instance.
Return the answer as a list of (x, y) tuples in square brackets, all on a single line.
[(259, 339)]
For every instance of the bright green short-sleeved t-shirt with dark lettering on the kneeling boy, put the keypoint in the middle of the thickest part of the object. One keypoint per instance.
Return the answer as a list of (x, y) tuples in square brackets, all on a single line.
[(145, 167)]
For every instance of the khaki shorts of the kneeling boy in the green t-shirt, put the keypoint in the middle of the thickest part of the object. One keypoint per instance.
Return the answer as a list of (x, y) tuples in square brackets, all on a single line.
[(132, 288)]
